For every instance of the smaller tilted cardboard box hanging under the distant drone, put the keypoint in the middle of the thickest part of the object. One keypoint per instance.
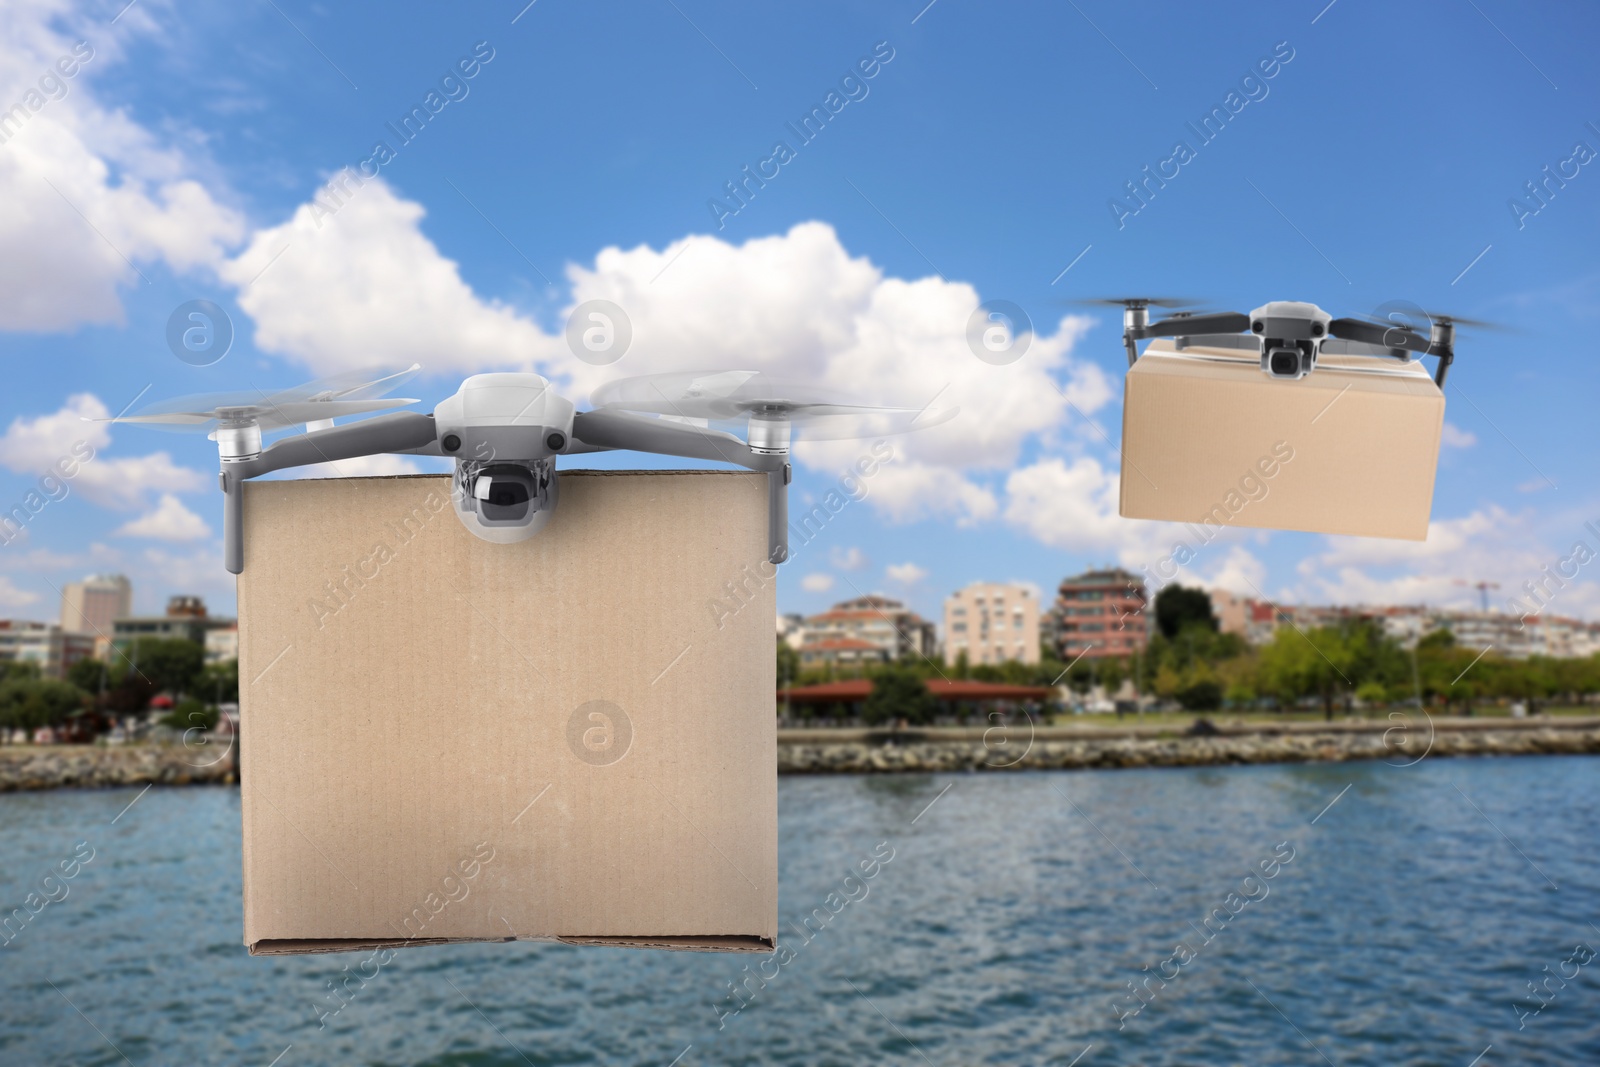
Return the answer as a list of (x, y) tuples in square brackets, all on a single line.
[(1353, 449)]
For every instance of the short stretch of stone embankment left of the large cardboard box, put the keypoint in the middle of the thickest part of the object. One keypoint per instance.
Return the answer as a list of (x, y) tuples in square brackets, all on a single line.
[(57, 767)]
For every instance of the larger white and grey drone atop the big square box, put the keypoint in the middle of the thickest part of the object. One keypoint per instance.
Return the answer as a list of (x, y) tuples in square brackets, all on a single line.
[(506, 431)]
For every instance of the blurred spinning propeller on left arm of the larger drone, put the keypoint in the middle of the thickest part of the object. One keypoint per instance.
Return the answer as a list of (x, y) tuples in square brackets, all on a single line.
[(354, 393)]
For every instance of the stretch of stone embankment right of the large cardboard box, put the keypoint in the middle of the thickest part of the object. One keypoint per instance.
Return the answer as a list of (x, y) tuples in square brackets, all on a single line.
[(1073, 748)]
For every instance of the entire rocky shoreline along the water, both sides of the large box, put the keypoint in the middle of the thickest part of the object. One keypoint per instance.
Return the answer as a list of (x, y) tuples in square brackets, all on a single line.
[(937, 749)]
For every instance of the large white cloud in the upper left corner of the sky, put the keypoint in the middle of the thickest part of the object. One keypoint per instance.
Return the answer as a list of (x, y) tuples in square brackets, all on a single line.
[(78, 217)]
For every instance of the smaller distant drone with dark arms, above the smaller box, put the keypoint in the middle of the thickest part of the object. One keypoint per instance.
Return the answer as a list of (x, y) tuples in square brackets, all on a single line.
[(1290, 335)]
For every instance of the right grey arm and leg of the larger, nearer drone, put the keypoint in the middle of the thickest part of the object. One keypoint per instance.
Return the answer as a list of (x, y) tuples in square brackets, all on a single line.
[(642, 434)]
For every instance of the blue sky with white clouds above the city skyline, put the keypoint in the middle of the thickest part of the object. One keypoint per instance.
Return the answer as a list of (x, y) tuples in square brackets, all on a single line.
[(977, 164)]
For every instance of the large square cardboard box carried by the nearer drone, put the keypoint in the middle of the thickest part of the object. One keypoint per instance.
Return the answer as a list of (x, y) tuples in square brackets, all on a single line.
[(570, 738)]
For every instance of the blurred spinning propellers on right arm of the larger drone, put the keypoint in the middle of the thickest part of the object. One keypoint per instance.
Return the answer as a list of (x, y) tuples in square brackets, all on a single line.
[(769, 406)]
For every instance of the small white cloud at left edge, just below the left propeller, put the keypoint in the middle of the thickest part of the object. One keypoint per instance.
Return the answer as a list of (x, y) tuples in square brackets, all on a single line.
[(34, 447)]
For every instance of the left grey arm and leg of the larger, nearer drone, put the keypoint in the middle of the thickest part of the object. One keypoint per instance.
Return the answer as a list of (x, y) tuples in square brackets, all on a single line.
[(402, 431)]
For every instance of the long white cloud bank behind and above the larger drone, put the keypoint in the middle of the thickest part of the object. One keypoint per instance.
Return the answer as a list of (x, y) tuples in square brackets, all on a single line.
[(794, 305)]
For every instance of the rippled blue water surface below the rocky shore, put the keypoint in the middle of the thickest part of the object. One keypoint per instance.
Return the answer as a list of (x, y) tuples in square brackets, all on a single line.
[(1006, 930)]
